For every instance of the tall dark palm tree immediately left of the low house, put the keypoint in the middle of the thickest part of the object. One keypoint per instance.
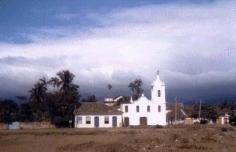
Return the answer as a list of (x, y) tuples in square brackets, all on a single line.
[(63, 108)]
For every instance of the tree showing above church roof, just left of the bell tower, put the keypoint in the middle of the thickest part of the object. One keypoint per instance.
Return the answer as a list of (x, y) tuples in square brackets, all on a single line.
[(136, 88)]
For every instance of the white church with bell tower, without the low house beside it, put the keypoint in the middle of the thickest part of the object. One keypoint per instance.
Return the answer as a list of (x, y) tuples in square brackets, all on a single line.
[(144, 111)]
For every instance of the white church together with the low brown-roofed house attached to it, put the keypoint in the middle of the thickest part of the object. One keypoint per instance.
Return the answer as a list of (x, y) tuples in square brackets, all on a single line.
[(141, 112)]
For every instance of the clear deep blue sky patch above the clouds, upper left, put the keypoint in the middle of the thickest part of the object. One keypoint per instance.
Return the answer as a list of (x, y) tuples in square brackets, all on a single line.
[(19, 18)]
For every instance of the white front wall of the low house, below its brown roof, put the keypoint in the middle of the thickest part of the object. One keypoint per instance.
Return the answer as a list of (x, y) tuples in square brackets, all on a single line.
[(101, 121)]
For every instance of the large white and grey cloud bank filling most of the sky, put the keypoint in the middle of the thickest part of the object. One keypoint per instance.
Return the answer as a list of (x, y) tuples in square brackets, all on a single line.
[(192, 45)]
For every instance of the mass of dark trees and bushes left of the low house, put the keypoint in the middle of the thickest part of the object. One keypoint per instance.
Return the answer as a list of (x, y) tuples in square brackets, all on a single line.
[(56, 106)]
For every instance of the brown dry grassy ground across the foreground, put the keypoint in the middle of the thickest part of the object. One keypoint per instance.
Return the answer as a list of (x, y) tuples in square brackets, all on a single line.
[(174, 139)]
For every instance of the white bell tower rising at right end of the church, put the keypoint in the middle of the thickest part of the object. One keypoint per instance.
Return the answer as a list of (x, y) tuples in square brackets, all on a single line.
[(158, 90)]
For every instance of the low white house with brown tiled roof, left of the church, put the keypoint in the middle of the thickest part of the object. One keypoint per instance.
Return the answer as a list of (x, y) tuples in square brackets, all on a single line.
[(97, 115)]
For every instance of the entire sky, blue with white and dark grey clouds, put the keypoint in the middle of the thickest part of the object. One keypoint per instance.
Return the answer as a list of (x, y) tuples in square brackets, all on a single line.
[(192, 43)]
